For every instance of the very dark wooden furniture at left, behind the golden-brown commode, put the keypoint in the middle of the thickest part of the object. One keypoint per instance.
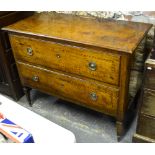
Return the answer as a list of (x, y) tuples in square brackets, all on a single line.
[(9, 79)]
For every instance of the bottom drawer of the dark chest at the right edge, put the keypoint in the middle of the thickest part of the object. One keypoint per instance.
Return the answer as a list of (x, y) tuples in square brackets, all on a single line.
[(146, 126)]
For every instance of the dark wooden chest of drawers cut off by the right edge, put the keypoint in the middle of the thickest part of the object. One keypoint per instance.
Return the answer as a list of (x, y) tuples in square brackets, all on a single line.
[(146, 119)]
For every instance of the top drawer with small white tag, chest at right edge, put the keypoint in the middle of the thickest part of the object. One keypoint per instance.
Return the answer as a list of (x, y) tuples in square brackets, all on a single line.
[(150, 77)]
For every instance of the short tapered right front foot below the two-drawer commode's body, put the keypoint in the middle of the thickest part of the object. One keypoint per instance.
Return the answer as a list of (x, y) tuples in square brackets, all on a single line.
[(120, 130)]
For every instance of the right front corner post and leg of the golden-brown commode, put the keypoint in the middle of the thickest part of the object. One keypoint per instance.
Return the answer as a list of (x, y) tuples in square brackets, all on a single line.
[(124, 94)]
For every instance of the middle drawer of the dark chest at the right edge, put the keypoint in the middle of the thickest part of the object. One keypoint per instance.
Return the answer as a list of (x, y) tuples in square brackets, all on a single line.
[(148, 106)]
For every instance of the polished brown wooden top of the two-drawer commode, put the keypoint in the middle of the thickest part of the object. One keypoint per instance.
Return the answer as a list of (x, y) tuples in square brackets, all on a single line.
[(118, 35)]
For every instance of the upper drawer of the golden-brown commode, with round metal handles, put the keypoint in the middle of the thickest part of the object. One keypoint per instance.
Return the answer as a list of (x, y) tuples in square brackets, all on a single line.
[(99, 65)]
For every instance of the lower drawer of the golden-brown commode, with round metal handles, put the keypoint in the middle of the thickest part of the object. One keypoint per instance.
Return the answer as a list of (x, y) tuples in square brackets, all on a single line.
[(88, 92)]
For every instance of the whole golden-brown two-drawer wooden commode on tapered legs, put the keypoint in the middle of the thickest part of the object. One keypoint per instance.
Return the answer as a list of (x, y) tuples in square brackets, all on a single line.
[(83, 60)]
